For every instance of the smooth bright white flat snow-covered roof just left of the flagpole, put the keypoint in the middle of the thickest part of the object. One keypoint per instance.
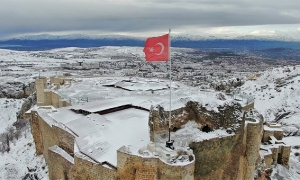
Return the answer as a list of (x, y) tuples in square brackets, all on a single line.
[(125, 127)]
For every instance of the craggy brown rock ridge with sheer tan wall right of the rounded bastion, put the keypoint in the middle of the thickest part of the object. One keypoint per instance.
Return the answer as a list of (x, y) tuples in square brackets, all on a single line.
[(230, 157)]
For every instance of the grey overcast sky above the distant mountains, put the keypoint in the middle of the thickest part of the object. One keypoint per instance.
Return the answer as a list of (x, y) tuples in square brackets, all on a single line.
[(150, 17)]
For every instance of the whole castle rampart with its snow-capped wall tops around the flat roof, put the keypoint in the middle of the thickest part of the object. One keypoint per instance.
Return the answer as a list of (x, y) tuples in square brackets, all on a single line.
[(228, 147)]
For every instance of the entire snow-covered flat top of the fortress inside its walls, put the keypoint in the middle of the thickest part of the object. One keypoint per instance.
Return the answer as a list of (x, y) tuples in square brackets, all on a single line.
[(112, 118)]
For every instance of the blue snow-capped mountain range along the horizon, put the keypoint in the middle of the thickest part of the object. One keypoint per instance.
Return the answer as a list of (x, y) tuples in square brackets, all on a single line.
[(262, 45)]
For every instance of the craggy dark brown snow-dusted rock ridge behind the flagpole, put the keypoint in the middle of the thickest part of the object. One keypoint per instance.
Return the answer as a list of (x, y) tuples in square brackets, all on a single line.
[(229, 116)]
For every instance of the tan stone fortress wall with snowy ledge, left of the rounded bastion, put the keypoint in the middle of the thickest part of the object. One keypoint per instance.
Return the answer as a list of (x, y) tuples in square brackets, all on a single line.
[(56, 144)]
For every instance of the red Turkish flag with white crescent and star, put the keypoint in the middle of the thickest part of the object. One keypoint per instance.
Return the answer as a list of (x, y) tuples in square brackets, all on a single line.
[(157, 48)]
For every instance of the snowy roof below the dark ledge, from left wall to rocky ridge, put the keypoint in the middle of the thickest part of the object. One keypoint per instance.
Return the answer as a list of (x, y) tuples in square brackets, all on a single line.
[(100, 136)]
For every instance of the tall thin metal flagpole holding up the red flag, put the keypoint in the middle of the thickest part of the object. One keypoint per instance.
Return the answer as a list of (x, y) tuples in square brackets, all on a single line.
[(169, 143)]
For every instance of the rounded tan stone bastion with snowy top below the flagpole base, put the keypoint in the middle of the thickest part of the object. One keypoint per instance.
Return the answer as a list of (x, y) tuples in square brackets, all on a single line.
[(155, 162)]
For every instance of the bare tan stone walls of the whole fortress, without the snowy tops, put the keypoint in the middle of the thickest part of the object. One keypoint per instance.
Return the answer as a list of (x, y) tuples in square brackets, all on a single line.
[(231, 157)]
